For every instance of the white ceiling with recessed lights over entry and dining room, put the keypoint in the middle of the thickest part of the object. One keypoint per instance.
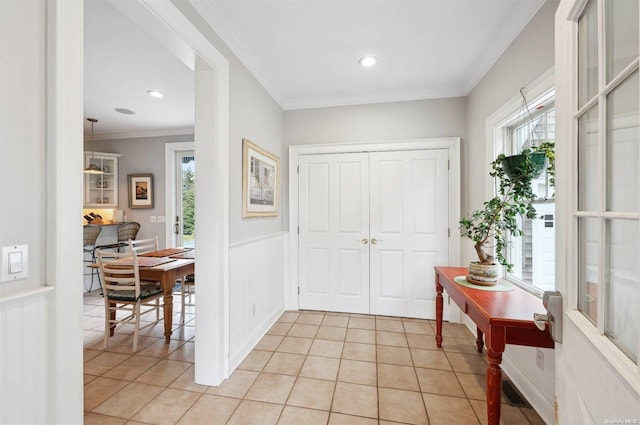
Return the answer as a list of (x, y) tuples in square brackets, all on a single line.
[(304, 52)]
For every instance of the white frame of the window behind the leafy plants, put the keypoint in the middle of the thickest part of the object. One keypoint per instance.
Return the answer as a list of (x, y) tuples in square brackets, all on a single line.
[(496, 137)]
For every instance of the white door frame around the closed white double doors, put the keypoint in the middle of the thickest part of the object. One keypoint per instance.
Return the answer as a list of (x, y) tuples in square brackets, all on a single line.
[(450, 143)]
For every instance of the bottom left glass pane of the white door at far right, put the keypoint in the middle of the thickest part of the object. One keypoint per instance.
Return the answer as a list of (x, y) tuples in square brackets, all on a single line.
[(588, 285)]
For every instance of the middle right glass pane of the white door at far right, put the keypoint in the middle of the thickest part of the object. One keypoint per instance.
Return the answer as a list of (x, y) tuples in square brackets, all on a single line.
[(622, 146)]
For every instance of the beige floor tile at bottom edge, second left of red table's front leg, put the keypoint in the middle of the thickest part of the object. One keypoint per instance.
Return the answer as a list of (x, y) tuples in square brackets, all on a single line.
[(402, 406)]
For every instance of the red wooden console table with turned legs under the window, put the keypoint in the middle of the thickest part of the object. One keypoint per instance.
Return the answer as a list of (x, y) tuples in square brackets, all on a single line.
[(502, 317)]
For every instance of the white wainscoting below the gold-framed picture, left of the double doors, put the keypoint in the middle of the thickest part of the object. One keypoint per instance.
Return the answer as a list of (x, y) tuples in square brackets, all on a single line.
[(256, 291)]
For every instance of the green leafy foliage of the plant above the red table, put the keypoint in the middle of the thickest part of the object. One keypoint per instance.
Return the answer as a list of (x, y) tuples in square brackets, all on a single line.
[(499, 217)]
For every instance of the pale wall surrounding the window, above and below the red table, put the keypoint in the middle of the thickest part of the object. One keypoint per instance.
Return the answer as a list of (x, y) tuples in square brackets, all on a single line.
[(527, 58)]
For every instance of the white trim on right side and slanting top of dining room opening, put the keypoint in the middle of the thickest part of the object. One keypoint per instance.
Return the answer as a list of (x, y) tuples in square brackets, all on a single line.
[(173, 30)]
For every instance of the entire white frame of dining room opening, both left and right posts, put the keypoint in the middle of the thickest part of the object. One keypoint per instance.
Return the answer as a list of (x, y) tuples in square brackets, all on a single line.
[(64, 111)]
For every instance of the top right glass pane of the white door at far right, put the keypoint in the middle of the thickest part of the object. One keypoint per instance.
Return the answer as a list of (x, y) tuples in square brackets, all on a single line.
[(622, 37)]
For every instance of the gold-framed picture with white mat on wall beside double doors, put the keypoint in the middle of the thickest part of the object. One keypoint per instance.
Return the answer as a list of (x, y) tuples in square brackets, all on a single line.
[(260, 181)]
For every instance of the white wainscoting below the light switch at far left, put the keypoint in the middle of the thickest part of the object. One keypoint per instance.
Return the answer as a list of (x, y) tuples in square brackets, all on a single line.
[(24, 359)]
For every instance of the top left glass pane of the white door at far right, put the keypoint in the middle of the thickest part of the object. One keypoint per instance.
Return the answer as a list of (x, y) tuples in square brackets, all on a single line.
[(588, 53)]
